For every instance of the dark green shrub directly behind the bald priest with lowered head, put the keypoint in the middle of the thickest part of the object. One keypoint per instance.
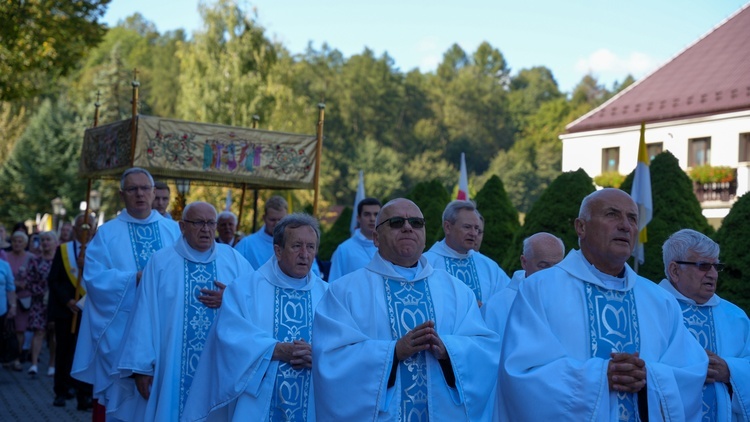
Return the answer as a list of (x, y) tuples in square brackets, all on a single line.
[(555, 212)]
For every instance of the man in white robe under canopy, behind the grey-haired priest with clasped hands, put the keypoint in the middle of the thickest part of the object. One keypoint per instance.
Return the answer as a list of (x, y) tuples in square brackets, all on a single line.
[(258, 247)]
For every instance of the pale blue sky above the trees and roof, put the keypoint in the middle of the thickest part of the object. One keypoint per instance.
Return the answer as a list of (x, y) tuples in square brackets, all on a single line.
[(609, 39)]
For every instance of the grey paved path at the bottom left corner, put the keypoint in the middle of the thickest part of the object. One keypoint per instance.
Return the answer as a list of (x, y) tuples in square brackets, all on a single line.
[(29, 399)]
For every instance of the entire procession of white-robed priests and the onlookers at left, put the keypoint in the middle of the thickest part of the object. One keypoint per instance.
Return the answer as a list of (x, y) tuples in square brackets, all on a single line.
[(154, 319)]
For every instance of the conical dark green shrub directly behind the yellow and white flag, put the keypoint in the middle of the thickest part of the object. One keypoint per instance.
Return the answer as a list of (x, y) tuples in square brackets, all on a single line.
[(675, 207)]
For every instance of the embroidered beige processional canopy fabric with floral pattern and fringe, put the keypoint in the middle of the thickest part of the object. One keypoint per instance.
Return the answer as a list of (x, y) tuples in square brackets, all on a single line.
[(202, 152)]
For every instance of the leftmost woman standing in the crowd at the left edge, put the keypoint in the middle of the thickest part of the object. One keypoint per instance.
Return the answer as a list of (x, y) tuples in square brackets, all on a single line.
[(19, 260)]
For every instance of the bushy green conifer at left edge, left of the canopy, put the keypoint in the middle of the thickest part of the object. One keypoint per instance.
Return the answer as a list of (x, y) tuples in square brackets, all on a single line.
[(42, 166)]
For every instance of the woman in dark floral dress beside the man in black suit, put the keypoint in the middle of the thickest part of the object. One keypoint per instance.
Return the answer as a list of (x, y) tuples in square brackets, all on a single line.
[(37, 284)]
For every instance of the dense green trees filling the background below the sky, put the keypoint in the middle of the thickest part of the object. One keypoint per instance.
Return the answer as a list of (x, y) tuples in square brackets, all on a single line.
[(400, 128)]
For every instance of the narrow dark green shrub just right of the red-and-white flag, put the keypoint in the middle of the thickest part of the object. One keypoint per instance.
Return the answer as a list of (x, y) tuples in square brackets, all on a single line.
[(500, 217)]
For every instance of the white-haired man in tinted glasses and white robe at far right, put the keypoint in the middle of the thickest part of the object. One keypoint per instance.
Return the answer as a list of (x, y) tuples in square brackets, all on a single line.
[(722, 328)]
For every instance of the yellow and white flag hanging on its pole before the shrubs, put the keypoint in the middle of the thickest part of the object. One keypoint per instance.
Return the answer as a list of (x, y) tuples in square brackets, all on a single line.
[(641, 194)]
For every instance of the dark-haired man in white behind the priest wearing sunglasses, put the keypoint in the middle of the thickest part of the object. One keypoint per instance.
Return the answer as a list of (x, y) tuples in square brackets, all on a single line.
[(357, 251)]
